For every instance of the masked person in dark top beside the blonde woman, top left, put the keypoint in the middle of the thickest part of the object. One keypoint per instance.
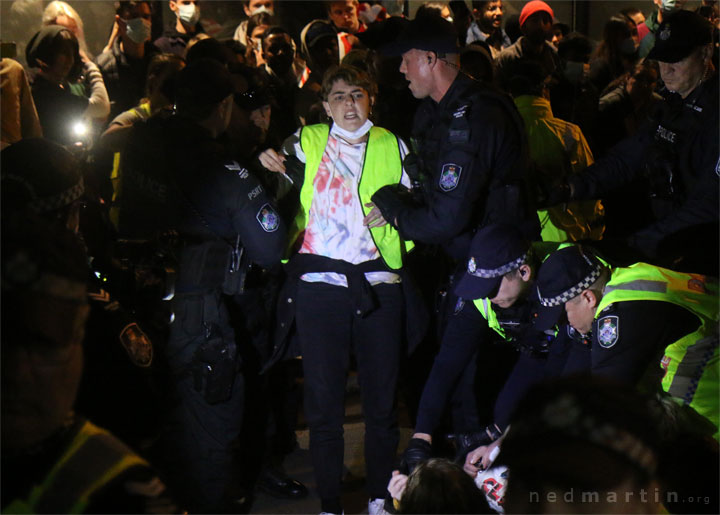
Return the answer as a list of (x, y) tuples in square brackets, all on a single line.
[(124, 65)]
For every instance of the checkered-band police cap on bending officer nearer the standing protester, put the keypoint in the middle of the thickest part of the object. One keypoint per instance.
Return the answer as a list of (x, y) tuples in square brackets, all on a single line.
[(495, 250)]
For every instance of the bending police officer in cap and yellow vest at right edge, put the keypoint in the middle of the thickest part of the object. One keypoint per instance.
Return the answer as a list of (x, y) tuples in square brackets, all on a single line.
[(635, 315)]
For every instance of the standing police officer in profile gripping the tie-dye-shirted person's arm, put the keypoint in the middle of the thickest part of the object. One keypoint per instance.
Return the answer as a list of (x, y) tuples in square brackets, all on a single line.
[(470, 144)]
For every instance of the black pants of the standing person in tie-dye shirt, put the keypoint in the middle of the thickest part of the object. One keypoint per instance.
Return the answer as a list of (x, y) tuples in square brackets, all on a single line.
[(328, 329)]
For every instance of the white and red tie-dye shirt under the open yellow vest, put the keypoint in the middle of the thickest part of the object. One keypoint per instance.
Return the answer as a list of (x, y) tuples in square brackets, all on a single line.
[(335, 222)]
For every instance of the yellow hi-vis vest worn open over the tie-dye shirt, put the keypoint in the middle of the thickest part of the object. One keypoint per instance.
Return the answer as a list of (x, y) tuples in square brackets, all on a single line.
[(382, 166)]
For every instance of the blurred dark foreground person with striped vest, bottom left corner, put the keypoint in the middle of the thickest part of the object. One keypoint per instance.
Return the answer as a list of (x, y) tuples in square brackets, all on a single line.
[(54, 460)]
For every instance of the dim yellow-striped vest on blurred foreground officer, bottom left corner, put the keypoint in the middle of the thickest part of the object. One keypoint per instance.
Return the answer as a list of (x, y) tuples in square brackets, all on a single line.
[(92, 460)]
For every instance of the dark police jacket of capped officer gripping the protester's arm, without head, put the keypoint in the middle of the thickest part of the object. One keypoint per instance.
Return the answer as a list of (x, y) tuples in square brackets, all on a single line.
[(473, 153)]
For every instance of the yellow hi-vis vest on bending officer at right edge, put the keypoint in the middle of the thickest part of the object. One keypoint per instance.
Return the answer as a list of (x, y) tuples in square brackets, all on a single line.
[(691, 364)]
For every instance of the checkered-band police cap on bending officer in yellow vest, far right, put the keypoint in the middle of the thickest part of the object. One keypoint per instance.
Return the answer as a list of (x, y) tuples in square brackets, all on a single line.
[(564, 276)]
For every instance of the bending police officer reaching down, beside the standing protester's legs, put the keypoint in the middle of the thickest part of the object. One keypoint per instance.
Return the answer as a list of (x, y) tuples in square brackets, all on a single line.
[(495, 304)]
